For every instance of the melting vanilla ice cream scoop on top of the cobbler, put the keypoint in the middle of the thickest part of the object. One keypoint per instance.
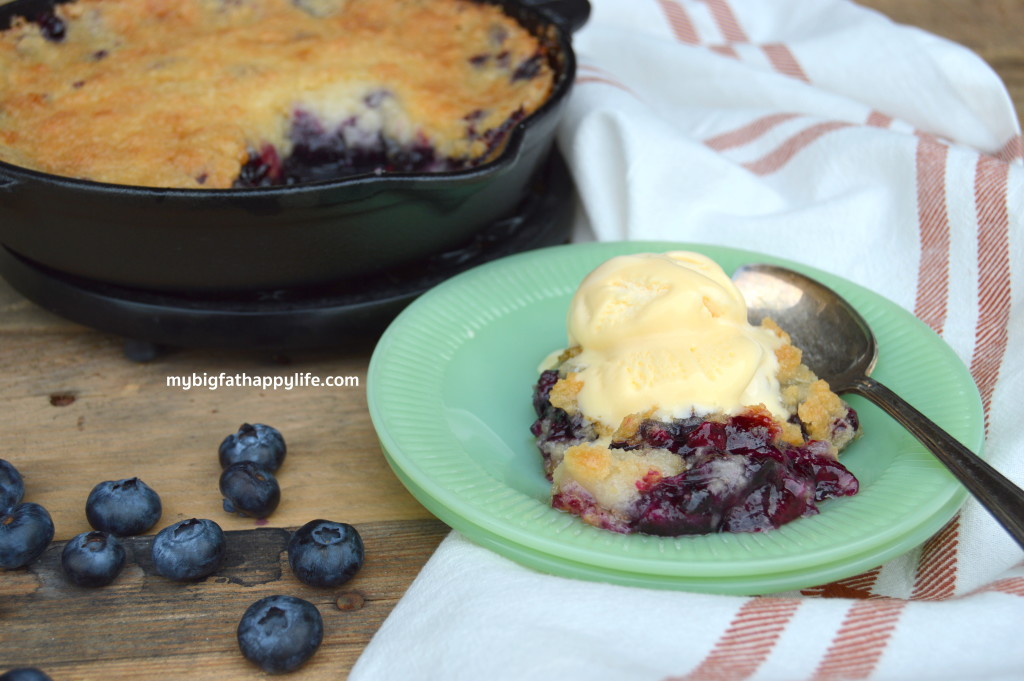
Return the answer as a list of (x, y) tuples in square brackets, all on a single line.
[(668, 332)]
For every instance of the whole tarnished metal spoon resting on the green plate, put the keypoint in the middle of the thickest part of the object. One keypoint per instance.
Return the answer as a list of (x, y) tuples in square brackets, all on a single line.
[(840, 348)]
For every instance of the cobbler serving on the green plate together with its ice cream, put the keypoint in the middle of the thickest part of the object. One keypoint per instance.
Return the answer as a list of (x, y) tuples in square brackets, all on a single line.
[(669, 414)]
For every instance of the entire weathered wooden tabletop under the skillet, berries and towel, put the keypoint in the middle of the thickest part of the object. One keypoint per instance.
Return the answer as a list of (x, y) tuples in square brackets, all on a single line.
[(76, 413)]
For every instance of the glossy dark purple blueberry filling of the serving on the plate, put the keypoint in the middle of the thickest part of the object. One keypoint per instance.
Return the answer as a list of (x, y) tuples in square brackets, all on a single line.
[(739, 476)]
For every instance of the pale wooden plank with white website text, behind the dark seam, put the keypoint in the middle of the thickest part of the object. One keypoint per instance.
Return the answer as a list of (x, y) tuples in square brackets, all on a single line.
[(75, 413)]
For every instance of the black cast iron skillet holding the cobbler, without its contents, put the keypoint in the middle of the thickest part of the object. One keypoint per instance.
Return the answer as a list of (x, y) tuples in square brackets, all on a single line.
[(286, 237)]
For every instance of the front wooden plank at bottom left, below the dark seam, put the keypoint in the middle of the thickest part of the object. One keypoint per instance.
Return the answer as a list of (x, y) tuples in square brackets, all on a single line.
[(146, 627)]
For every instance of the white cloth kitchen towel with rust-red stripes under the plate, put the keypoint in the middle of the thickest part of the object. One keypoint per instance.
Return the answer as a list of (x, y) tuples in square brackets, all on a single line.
[(825, 134)]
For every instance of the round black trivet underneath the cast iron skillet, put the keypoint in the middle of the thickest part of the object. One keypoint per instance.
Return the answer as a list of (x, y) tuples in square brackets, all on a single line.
[(313, 319)]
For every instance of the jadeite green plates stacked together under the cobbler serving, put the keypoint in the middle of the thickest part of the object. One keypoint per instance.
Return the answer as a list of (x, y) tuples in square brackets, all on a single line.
[(450, 388)]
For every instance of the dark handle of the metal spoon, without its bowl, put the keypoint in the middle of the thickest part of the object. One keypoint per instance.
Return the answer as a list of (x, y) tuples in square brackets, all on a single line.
[(1003, 499)]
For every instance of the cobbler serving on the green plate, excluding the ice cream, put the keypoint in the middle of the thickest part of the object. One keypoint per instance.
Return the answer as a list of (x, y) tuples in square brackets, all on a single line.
[(748, 473)]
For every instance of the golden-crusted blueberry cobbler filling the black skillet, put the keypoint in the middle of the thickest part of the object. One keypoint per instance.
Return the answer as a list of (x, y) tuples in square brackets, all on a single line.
[(222, 94)]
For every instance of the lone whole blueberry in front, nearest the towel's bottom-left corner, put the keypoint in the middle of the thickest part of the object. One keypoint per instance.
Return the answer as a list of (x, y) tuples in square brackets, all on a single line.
[(280, 633)]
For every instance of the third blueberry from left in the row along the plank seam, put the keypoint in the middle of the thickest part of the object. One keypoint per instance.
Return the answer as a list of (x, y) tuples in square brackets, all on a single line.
[(189, 550)]
